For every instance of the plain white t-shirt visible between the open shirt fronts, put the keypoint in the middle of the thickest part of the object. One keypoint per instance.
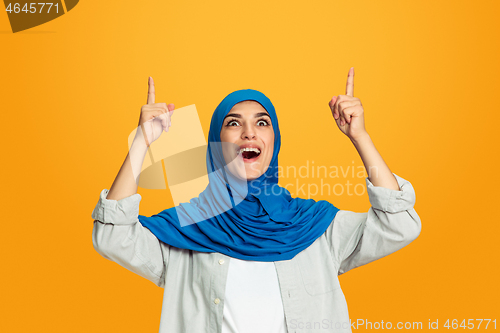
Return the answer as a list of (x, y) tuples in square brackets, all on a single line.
[(252, 301)]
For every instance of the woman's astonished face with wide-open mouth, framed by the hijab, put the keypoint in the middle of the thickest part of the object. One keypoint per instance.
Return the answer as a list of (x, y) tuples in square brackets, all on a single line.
[(249, 127)]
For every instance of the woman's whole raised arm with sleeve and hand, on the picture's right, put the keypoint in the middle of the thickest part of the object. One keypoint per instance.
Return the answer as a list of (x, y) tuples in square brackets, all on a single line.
[(391, 223)]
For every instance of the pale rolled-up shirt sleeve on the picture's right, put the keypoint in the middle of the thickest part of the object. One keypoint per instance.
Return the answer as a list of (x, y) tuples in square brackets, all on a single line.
[(390, 224)]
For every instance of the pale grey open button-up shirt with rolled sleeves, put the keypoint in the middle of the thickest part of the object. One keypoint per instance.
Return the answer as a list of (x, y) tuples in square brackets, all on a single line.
[(195, 282)]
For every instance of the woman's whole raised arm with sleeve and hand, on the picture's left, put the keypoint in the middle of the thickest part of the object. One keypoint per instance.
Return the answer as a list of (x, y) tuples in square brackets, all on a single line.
[(118, 235)]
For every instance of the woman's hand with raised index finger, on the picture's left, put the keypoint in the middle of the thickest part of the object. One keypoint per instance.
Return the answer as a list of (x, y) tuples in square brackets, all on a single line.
[(155, 117)]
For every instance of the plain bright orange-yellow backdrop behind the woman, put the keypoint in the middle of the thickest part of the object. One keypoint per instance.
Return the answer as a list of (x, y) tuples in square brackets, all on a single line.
[(427, 73)]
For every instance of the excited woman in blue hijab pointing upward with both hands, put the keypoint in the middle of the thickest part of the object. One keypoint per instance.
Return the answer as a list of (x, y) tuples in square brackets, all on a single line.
[(244, 256)]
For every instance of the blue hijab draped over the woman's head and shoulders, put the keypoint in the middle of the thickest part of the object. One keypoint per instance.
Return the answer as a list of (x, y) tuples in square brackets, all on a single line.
[(245, 219)]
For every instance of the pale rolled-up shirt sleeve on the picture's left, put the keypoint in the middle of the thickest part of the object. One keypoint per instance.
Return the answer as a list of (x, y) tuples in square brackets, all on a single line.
[(119, 236)]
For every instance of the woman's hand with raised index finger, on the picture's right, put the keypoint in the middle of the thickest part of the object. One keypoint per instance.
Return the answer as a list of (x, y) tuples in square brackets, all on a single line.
[(348, 111)]
